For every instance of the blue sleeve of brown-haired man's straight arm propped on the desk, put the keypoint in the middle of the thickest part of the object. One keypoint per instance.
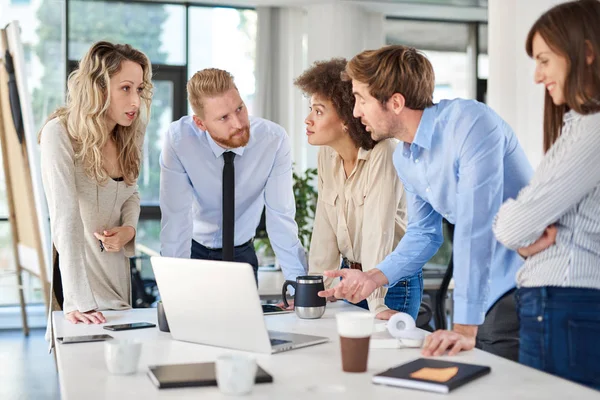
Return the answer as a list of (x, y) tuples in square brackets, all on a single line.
[(480, 191)]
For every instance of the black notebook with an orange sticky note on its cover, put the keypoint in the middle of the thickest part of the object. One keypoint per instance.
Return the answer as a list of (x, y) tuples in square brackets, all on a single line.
[(400, 375)]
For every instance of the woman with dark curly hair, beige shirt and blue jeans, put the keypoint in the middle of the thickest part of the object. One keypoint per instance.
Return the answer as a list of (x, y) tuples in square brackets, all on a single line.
[(361, 211)]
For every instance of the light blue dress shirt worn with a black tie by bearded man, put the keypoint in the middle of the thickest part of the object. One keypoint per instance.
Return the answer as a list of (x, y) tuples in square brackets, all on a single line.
[(191, 191)]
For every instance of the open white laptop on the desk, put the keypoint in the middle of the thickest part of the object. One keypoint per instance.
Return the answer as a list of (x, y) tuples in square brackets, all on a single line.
[(216, 303)]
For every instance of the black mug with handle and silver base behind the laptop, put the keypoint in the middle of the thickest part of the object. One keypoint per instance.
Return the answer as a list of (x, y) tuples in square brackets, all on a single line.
[(307, 303)]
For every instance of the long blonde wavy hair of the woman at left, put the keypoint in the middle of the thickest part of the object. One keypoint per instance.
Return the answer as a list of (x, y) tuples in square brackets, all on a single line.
[(88, 100)]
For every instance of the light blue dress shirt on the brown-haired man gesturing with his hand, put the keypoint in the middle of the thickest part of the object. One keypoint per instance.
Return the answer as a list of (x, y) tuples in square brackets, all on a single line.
[(464, 162)]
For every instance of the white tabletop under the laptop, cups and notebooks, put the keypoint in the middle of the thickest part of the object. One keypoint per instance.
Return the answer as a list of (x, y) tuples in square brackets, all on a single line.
[(311, 373)]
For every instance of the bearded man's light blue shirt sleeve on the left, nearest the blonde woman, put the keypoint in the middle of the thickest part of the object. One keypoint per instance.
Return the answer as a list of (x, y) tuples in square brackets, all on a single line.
[(176, 197)]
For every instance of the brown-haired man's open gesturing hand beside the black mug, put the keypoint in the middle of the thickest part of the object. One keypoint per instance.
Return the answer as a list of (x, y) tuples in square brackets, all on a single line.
[(355, 285)]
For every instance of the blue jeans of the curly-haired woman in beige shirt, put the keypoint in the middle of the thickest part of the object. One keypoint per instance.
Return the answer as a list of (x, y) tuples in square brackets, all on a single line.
[(405, 296)]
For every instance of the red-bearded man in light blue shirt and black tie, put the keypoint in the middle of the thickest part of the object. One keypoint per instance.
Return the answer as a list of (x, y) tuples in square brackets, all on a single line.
[(193, 200)]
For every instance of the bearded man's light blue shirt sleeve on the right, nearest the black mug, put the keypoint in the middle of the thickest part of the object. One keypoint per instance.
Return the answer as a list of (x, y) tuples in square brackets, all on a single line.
[(280, 212)]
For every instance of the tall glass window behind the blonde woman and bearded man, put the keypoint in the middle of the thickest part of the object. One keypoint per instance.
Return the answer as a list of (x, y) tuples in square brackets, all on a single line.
[(209, 37)]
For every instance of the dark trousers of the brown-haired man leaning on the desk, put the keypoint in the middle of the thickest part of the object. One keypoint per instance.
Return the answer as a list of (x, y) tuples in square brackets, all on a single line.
[(499, 333)]
